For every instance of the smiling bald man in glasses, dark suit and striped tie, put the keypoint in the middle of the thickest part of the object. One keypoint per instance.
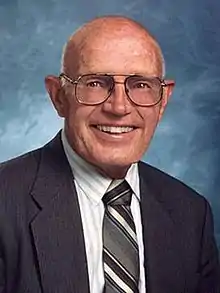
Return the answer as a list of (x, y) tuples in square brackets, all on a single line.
[(83, 214)]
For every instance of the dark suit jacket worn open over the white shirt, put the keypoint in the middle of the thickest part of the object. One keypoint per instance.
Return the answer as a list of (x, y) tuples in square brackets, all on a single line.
[(41, 240)]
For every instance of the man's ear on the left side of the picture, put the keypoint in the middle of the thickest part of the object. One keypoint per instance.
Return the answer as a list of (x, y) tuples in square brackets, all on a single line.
[(54, 89)]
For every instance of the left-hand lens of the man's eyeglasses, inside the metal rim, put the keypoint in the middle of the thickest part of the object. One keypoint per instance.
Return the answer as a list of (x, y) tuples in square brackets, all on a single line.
[(93, 89)]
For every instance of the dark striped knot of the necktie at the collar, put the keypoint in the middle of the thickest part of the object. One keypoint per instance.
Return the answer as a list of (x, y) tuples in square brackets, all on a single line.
[(119, 195)]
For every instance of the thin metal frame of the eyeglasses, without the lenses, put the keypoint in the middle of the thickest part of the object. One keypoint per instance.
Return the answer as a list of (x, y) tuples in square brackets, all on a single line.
[(76, 81)]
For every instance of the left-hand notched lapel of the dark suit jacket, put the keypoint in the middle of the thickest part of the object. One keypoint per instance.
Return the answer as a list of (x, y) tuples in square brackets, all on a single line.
[(57, 229)]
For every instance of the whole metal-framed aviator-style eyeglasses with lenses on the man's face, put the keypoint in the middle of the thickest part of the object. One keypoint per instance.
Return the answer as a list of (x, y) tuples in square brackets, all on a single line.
[(94, 89)]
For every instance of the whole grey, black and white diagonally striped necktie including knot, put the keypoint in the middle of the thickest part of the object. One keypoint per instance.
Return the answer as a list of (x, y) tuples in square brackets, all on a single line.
[(120, 249)]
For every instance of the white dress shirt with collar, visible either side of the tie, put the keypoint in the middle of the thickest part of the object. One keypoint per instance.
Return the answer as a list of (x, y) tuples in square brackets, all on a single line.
[(90, 187)]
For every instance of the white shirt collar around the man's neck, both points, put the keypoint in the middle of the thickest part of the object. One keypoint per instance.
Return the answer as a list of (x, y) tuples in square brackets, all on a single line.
[(93, 183)]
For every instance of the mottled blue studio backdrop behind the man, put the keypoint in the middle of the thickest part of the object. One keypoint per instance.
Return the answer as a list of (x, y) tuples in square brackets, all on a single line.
[(187, 142)]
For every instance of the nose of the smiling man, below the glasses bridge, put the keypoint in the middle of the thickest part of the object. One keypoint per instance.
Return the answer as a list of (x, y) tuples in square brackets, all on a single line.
[(118, 103)]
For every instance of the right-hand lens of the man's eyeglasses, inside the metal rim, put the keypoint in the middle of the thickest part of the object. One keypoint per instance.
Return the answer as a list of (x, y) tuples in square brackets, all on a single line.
[(144, 90)]
